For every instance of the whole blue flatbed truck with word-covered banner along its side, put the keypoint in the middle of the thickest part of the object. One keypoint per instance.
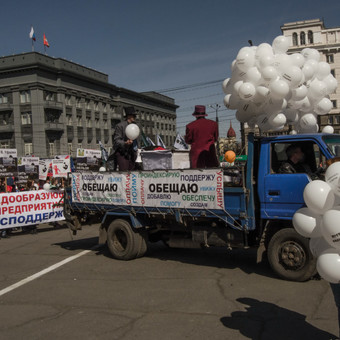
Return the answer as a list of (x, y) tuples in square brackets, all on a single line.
[(253, 207)]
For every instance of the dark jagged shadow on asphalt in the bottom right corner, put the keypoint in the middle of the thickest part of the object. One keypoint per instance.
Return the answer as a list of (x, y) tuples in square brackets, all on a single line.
[(264, 320)]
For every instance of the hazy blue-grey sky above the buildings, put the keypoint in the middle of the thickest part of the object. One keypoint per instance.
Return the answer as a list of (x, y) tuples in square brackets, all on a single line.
[(180, 48)]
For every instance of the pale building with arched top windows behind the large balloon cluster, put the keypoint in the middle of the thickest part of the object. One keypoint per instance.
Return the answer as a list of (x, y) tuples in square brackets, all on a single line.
[(314, 34)]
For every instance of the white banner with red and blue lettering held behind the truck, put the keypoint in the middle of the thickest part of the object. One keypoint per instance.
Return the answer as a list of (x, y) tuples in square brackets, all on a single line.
[(30, 207)]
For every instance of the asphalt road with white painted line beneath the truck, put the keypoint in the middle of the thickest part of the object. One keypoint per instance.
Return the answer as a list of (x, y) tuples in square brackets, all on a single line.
[(168, 294)]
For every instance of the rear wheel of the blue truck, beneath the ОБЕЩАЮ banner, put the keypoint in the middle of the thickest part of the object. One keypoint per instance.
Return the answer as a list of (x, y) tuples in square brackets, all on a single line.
[(123, 242)]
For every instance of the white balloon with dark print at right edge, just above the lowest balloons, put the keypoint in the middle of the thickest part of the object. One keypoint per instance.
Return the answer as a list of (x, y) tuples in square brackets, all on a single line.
[(331, 227)]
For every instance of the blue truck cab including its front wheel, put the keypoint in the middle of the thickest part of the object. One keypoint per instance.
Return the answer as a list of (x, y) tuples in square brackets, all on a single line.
[(277, 196)]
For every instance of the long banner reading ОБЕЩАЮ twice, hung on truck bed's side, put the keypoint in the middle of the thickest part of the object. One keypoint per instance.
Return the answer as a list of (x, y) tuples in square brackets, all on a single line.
[(192, 189)]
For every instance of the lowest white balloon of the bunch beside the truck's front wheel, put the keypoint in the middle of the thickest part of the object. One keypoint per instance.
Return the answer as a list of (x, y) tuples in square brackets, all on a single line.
[(328, 266)]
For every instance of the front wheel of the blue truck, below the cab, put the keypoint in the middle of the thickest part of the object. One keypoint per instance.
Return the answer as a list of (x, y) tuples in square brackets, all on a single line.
[(290, 257)]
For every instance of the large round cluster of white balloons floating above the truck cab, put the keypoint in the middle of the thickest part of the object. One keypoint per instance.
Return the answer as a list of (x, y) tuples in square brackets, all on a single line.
[(270, 88)]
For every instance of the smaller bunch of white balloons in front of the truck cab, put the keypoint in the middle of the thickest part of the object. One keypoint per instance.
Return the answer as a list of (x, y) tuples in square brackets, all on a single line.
[(320, 221)]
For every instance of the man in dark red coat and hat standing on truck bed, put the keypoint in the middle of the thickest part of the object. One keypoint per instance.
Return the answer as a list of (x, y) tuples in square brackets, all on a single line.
[(202, 135)]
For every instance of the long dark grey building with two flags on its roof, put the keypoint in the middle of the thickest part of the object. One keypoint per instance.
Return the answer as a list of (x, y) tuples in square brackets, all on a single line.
[(51, 106)]
